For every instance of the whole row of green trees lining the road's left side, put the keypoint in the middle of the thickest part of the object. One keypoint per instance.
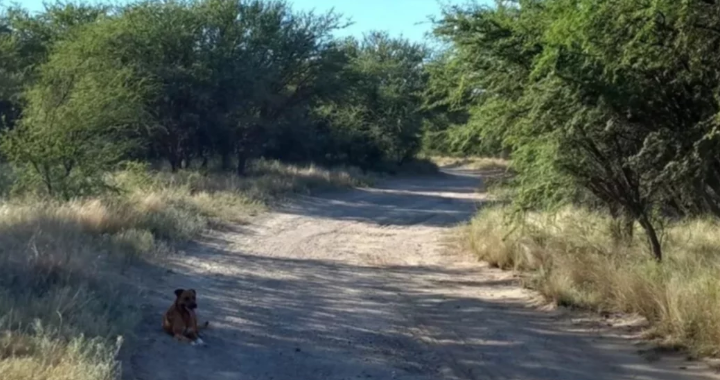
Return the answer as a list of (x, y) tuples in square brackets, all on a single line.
[(188, 82)]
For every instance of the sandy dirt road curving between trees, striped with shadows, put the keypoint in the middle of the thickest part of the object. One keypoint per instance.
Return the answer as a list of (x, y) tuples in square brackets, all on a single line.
[(358, 285)]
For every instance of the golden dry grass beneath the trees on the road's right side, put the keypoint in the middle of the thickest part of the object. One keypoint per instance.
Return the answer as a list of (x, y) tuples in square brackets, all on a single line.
[(573, 261)]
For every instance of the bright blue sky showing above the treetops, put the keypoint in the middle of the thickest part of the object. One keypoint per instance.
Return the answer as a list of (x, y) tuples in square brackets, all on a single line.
[(408, 18)]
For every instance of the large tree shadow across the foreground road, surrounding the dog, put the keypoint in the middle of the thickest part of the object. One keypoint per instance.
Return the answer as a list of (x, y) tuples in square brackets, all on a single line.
[(282, 318)]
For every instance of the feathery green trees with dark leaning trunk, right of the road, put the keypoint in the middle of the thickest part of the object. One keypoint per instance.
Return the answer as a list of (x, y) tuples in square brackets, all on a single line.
[(617, 99)]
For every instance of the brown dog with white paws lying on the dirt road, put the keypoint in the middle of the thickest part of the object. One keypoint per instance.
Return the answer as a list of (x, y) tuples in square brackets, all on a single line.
[(180, 320)]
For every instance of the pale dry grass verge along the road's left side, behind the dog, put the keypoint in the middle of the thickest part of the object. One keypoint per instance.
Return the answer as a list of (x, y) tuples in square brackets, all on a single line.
[(63, 308)]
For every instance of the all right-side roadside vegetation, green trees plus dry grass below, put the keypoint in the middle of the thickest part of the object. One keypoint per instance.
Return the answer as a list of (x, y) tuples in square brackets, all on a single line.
[(608, 112)]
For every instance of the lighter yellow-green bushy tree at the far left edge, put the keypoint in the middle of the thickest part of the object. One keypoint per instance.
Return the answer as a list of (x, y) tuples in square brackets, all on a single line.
[(78, 118)]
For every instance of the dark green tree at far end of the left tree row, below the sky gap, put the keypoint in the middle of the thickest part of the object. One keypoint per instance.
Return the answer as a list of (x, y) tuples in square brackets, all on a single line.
[(378, 116)]
